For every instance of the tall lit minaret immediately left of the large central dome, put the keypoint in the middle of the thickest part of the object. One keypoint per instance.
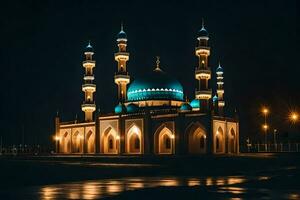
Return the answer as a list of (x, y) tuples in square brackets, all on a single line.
[(121, 77)]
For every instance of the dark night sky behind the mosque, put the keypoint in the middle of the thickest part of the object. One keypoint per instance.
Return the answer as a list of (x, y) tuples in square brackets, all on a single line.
[(42, 42)]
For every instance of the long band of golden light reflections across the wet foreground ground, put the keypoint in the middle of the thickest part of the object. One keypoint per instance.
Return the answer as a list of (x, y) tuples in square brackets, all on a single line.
[(104, 188)]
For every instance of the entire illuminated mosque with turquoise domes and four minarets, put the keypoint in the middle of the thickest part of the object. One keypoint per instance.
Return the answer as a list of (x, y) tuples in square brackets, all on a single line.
[(152, 116)]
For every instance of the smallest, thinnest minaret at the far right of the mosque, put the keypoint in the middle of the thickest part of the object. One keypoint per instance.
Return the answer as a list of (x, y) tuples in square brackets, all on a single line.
[(220, 90)]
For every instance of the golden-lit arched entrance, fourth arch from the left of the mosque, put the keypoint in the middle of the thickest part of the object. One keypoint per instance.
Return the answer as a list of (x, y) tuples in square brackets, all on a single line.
[(110, 141)]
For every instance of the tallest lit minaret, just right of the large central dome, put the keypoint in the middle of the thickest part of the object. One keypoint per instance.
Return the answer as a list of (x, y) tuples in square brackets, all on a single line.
[(203, 72)]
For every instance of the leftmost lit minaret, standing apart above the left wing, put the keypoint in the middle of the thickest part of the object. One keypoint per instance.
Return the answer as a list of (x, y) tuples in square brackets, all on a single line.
[(88, 106)]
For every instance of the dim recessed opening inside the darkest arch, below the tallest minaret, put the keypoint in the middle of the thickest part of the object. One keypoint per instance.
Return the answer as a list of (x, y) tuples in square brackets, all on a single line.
[(197, 141)]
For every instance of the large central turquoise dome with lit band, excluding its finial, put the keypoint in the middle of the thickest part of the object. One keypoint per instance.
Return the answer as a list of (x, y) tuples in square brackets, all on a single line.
[(155, 86)]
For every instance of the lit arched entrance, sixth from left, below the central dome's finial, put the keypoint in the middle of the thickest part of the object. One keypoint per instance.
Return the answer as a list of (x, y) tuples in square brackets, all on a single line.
[(164, 141)]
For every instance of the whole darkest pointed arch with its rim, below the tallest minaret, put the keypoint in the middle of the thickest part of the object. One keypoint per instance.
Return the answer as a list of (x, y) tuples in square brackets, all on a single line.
[(196, 138)]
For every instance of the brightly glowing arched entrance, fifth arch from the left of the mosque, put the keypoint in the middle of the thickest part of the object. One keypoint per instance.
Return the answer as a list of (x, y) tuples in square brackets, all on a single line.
[(133, 141)]
